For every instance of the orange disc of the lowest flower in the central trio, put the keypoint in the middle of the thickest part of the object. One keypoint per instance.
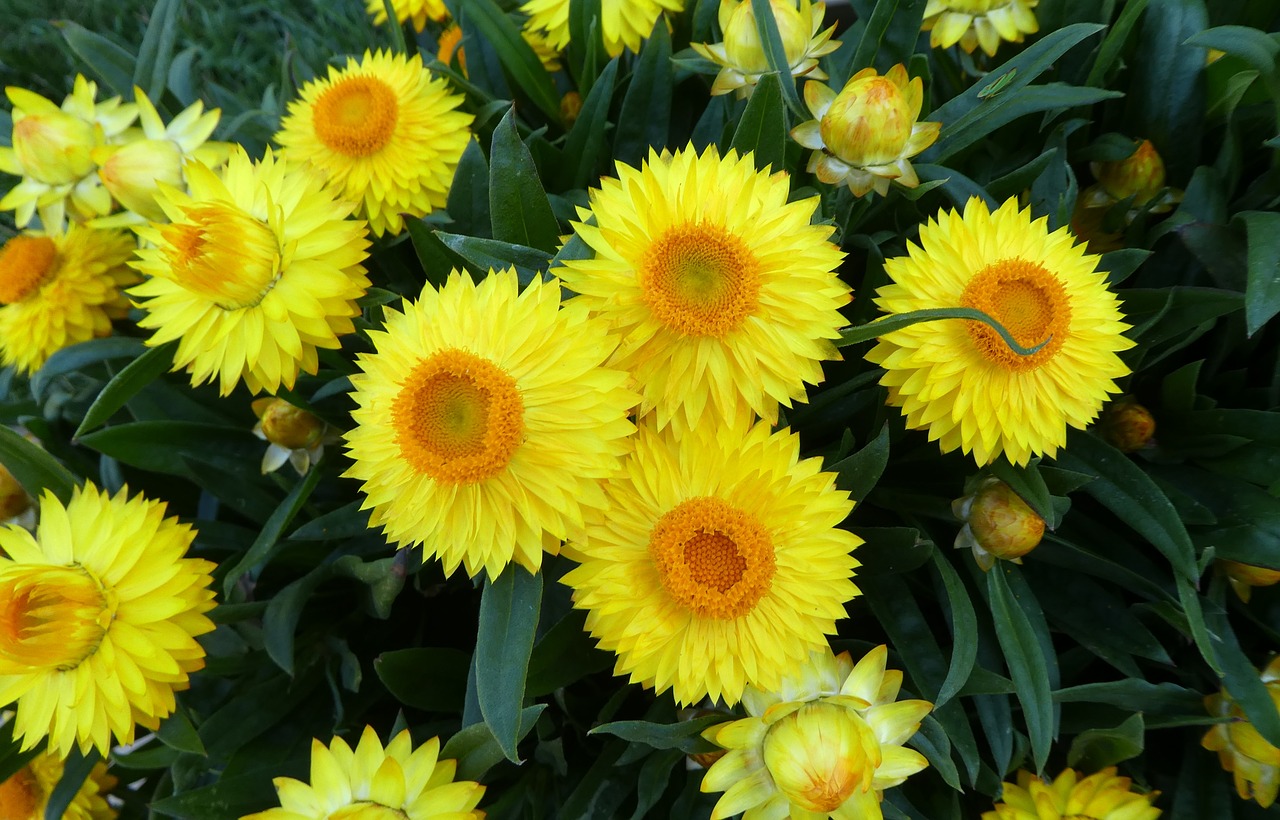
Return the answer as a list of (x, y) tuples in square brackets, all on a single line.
[(714, 558)]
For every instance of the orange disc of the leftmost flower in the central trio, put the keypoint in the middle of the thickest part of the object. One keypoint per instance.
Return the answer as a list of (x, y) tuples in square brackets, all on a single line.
[(459, 418)]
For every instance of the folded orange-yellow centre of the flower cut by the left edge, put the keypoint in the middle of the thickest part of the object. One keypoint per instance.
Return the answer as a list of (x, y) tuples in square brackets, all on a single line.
[(51, 617)]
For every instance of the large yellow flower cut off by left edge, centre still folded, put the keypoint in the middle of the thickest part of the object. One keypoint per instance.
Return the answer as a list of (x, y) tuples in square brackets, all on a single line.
[(99, 616)]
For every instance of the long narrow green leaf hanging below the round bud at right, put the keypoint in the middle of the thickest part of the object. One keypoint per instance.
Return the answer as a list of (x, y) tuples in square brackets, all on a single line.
[(1026, 662)]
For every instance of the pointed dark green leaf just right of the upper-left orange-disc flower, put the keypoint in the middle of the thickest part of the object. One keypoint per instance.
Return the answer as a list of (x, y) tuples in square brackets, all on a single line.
[(518, 203)]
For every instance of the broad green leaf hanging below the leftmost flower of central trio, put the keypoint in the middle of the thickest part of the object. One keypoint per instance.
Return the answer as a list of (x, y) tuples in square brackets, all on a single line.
[(509, 622)]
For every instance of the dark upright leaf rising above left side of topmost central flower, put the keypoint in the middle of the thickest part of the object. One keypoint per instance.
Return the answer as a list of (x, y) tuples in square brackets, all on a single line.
[(644, 121)]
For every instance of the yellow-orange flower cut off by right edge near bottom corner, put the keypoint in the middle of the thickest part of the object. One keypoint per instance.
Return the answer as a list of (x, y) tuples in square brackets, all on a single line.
[(1241, 749)]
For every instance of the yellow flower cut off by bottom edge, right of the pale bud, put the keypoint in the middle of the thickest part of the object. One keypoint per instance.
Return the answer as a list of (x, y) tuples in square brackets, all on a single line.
[(1103, 796)]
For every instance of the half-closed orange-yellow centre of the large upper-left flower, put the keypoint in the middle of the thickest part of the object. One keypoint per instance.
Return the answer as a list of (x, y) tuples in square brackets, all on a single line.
[(223, 255)]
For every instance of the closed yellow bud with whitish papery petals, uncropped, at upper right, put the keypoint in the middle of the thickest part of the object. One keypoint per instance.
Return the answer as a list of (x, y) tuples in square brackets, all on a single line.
[(867, 135)]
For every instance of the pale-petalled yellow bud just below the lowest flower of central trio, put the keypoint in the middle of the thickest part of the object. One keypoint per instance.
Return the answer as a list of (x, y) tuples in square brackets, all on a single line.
[(826, 744)]
